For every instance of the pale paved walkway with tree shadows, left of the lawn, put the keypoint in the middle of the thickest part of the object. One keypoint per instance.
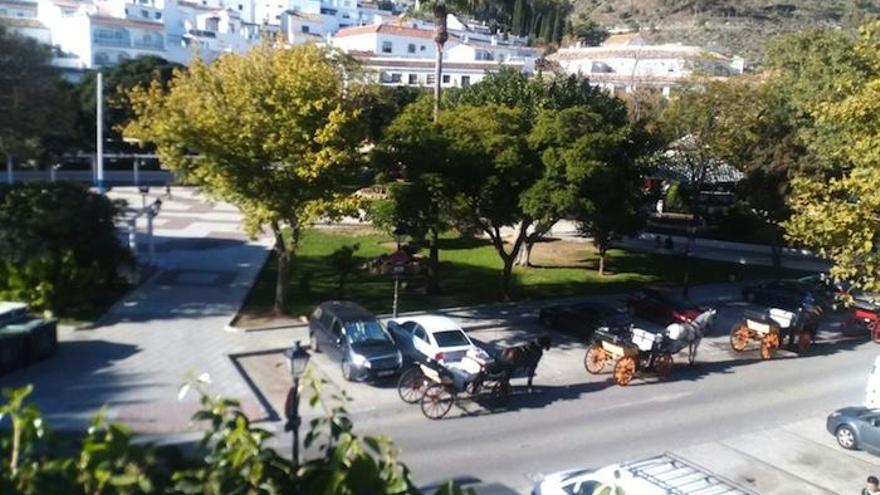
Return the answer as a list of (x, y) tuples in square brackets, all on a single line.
[(138, 354)]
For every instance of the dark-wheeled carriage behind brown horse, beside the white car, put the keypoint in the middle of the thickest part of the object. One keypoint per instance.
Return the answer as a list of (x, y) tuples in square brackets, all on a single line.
[(437, 386)]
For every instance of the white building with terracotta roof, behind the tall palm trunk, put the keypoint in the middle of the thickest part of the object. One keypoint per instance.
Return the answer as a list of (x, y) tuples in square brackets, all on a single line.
[(406, 55)]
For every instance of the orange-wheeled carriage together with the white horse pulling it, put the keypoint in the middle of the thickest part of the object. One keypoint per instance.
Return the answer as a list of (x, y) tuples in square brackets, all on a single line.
[(639, 350)]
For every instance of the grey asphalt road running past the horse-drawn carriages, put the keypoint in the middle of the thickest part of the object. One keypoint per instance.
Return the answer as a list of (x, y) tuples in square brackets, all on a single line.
[(574, 419)]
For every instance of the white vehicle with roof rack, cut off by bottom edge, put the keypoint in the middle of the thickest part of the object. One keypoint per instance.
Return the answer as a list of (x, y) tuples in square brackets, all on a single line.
[(660, 475)]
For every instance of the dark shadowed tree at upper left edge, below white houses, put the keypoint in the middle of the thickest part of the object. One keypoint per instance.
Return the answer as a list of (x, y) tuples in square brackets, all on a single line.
[(34, 105)]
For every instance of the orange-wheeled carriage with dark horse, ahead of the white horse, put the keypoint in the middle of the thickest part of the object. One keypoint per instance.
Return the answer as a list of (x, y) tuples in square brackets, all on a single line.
[(771, 327)]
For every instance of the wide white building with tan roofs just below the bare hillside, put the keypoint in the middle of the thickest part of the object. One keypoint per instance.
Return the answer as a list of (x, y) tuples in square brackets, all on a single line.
[(625, 62)]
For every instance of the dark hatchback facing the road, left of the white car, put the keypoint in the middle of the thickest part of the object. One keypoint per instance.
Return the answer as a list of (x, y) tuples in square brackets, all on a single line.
[(354, 337)]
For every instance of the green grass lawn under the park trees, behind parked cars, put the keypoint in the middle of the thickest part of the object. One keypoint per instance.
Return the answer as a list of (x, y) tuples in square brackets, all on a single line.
[(470, 274)]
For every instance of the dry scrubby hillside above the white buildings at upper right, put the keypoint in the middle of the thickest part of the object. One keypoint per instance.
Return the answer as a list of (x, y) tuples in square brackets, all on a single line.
[(736, 27)]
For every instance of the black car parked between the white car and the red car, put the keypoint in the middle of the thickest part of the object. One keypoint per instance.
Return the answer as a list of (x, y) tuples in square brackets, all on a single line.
[(583, 318)]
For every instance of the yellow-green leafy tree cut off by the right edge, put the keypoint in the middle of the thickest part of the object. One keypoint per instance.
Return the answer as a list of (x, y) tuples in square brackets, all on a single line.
[(837, 212)]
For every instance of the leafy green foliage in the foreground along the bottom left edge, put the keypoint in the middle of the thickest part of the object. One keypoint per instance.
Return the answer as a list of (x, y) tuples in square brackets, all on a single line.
[(234, 457)]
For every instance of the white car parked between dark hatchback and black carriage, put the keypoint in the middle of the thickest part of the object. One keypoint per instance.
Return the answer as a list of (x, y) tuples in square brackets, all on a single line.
[(436, 337)]
